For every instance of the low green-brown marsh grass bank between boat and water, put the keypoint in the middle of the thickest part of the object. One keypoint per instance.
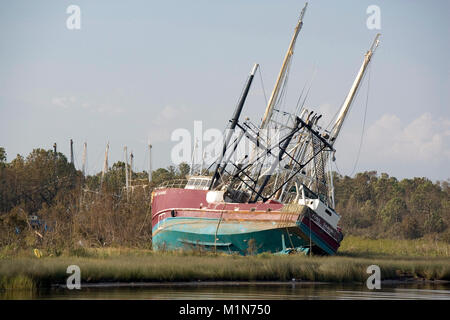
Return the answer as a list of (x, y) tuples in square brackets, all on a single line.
[(128, 265)]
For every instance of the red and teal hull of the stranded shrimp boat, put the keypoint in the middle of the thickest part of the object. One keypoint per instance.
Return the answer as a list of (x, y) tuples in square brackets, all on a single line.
[(235, 228)]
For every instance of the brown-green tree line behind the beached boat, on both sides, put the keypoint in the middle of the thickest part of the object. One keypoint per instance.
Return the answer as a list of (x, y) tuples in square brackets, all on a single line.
[(73, 210)]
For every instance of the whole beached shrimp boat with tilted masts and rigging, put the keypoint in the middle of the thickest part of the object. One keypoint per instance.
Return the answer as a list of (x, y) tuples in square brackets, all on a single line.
[(278, 198)]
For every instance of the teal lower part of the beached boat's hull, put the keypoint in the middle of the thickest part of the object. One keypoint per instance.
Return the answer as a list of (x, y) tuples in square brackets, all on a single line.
[(242, 237)]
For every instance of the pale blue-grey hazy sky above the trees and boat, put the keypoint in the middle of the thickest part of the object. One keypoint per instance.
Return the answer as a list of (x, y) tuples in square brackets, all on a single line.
[(136, 71)]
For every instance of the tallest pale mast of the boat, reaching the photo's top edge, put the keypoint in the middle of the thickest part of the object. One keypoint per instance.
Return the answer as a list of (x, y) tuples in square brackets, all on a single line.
[(282, 75)]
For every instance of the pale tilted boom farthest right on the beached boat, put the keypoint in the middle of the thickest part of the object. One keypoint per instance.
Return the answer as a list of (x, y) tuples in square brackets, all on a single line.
[(353, 90)]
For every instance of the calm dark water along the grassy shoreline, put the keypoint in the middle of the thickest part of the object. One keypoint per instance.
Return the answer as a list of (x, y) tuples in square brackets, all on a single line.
[(239, 290)]
